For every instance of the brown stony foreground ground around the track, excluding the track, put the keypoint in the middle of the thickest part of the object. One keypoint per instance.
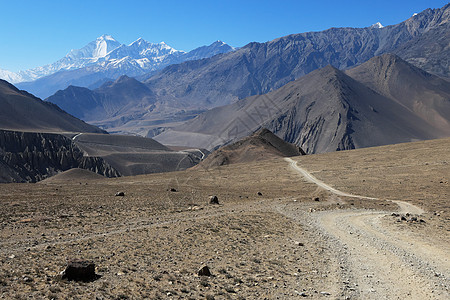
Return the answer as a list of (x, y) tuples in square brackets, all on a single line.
[(150, 243)]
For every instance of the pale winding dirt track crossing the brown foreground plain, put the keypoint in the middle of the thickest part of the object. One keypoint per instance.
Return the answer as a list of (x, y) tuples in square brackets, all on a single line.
[(377, 262)]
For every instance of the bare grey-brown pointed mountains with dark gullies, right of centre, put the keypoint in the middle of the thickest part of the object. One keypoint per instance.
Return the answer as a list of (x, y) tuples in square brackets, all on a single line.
[(327, 110)]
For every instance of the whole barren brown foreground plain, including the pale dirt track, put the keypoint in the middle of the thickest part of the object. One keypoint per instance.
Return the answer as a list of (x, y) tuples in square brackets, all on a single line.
[(269, 237)]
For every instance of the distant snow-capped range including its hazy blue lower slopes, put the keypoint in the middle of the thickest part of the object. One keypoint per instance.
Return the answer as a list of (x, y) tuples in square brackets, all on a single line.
[(105, 58)]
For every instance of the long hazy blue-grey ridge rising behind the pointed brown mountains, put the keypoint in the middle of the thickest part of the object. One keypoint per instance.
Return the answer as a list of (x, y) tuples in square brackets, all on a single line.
[(259, 68)]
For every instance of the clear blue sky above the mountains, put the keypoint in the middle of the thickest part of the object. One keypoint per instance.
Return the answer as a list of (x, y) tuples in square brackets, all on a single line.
[(38, 32)]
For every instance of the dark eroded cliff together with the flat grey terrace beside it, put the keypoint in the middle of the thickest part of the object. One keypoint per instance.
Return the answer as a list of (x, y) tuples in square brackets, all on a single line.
[(34, 156)]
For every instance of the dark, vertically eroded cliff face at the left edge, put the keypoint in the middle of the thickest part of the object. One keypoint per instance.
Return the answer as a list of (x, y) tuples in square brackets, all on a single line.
[(31, 157)]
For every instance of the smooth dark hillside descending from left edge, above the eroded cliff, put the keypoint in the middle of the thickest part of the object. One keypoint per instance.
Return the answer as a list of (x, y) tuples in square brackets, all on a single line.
[(20, 110)]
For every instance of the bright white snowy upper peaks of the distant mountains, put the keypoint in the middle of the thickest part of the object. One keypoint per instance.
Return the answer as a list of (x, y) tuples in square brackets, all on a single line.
[(106, 52)]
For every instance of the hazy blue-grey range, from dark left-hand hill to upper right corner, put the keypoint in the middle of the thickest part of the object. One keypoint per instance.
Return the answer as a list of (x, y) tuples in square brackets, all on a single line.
[(180, 91)]
